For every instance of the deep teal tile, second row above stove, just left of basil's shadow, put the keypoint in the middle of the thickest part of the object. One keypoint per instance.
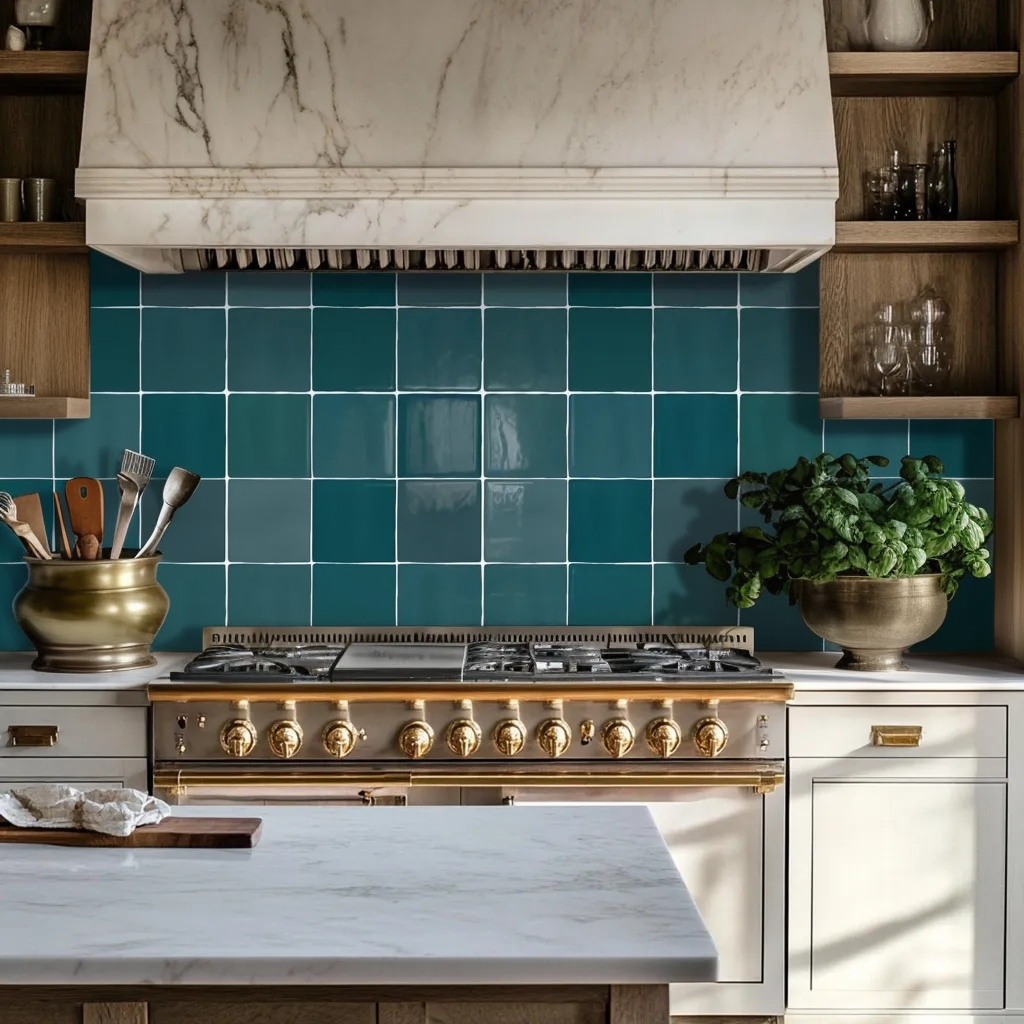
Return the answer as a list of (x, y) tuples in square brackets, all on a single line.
[(610, 521)]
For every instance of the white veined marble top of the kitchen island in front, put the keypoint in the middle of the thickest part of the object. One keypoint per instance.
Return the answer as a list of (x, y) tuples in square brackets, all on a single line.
[(439, 895)]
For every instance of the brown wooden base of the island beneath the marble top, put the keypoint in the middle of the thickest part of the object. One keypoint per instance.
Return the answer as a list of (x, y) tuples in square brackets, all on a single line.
[(336, 1005)]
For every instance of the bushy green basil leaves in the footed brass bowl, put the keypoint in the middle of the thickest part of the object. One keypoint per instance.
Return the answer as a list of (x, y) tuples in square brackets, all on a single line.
[(827, 519)]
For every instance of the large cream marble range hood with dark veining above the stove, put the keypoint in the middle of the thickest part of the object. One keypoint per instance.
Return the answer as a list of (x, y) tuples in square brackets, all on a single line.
[(631, 135)]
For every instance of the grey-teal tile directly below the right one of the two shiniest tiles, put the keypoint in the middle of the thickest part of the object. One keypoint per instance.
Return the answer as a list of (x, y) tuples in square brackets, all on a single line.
[(526, 522)]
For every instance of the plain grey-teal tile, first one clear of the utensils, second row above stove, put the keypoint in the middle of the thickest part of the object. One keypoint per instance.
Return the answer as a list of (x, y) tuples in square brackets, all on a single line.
[(269, 523)]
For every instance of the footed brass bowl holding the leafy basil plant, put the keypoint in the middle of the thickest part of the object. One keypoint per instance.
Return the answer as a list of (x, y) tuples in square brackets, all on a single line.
[(874, 621)]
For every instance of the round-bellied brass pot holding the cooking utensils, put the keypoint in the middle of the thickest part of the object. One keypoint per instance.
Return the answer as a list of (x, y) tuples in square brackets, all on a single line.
[(92, 616)]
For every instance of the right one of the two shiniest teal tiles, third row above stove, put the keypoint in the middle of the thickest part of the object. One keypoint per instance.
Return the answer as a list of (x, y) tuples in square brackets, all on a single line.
[(525, 436)]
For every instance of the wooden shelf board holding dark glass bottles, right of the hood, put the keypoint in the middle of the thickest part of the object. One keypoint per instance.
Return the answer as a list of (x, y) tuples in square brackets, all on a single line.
[(925, 236)]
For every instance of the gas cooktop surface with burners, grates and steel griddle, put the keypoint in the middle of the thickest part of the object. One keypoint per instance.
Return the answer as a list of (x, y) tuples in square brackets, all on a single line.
[(485, 661)]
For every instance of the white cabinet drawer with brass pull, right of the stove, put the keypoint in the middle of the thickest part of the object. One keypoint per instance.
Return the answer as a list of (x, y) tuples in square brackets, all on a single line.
[(950, 732)]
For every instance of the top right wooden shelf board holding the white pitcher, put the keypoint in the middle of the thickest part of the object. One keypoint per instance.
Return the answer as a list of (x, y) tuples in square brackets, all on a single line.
[(922, 74)]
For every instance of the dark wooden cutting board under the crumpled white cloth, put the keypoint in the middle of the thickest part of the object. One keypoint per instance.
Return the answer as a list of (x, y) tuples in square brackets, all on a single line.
[(211, 834)]
